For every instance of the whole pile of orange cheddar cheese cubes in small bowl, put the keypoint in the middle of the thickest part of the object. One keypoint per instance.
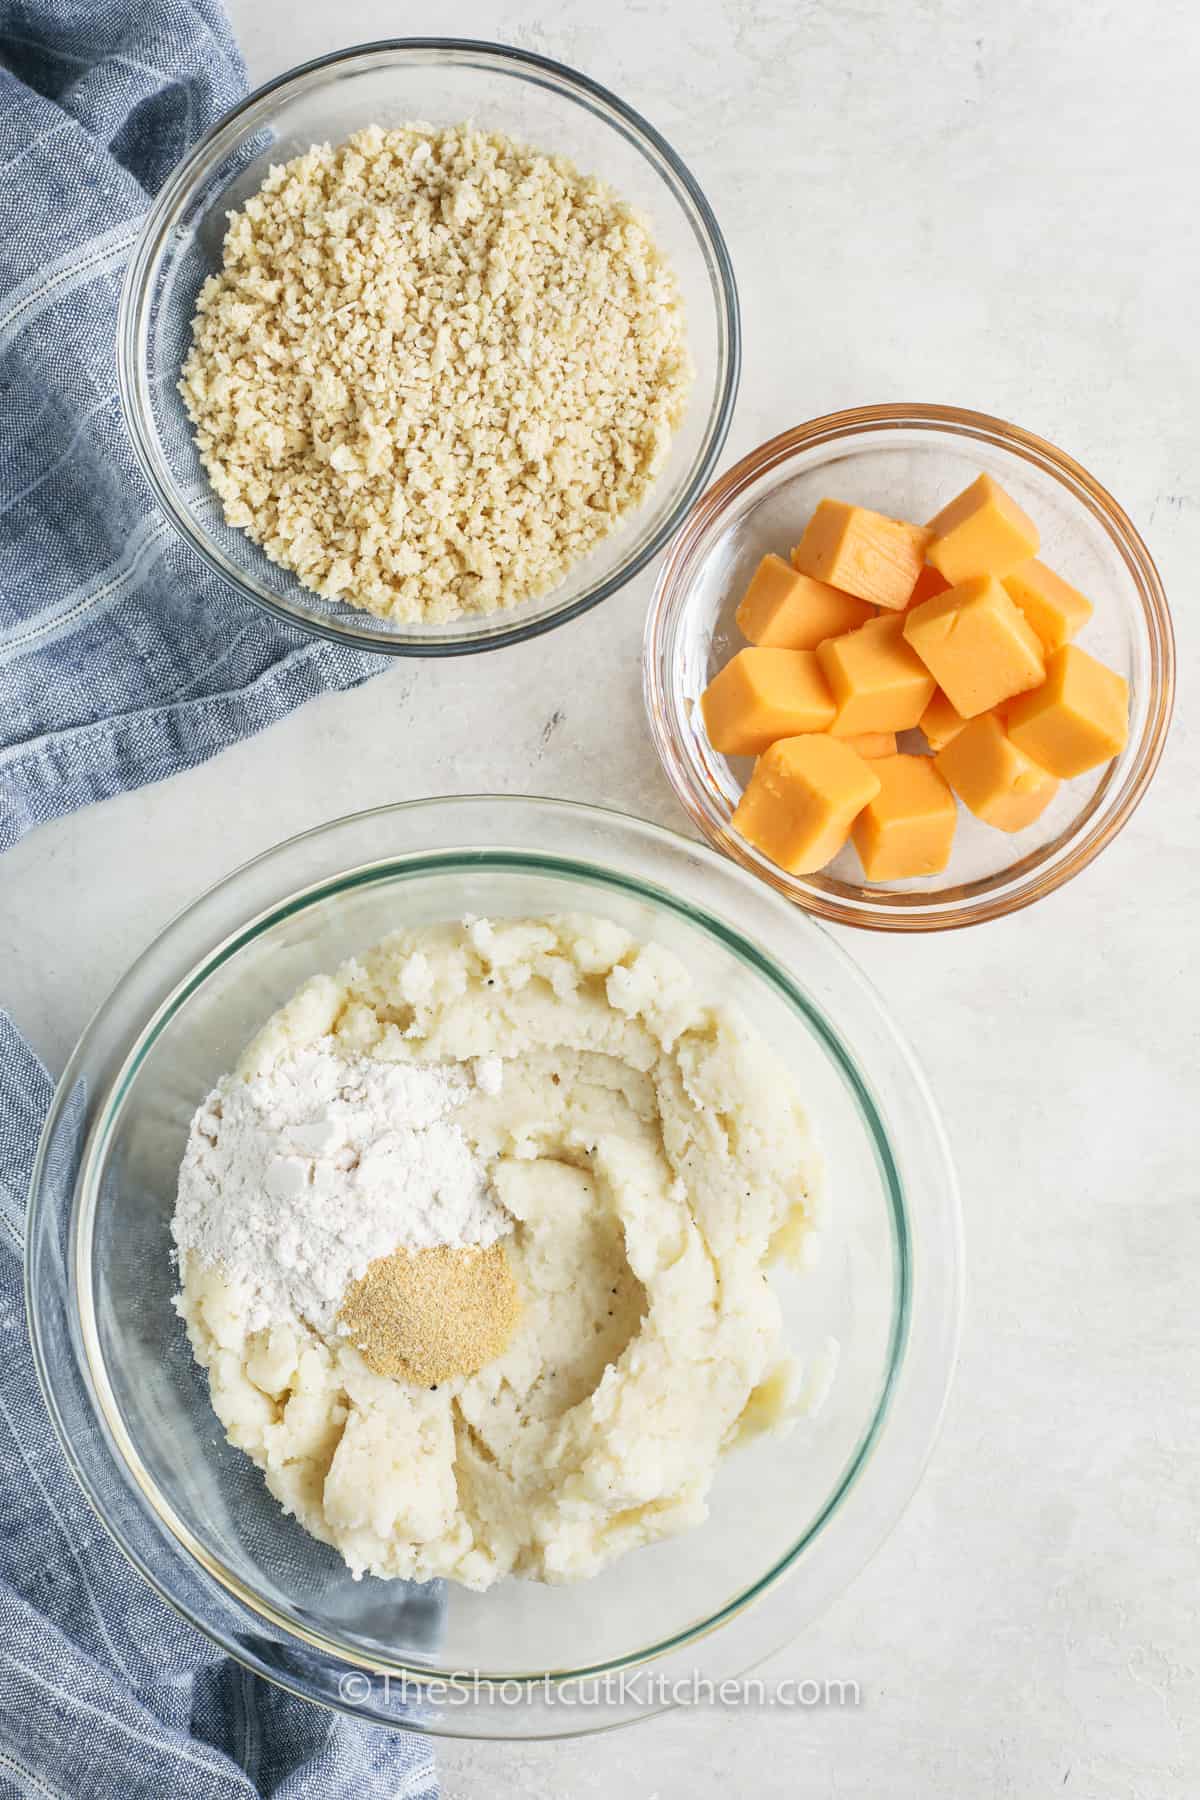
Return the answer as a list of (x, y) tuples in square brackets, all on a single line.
[(877, 627)]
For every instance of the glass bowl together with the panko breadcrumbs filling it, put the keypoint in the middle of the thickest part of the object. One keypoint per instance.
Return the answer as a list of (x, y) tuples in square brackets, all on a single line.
[(429, 346)]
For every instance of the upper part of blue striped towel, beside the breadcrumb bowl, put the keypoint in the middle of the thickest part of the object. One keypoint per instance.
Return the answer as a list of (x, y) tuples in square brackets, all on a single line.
[(121, 658)]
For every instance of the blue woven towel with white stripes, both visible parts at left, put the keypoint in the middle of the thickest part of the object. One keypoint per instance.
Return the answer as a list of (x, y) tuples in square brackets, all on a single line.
[(121, 661)]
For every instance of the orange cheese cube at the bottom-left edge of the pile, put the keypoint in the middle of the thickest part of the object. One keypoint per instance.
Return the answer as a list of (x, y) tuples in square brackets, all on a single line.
[(803, 798)]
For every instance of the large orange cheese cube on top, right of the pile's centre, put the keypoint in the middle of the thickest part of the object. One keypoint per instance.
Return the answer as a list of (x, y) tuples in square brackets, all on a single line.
[(976, 642)]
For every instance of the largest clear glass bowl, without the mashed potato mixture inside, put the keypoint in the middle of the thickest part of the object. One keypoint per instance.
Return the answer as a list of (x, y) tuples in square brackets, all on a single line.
[(793, 1518)]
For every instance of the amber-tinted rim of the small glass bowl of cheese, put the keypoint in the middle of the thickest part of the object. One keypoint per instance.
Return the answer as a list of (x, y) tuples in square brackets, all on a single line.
[(998, 895)]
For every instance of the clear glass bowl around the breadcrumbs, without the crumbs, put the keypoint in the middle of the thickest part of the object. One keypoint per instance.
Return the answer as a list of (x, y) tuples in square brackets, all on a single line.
[(442, 82)]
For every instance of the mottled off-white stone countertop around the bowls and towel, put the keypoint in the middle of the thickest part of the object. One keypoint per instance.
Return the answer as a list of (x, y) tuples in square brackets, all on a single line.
[(989, 204)]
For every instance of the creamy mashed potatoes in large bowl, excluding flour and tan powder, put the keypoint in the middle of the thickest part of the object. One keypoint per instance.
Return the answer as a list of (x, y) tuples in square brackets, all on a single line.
[(654, 1155)]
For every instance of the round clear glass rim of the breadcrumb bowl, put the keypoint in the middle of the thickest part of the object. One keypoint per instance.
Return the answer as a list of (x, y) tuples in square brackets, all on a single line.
[(147, 258)]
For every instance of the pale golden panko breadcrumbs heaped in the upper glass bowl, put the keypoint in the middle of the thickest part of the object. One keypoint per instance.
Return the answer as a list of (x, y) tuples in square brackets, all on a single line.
[(434, 370)]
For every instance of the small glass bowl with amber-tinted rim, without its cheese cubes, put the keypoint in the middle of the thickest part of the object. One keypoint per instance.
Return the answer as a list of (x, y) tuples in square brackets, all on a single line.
[(908, 462)]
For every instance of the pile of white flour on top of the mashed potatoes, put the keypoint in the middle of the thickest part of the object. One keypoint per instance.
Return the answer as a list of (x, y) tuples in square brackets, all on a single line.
[(294, 1182)]
